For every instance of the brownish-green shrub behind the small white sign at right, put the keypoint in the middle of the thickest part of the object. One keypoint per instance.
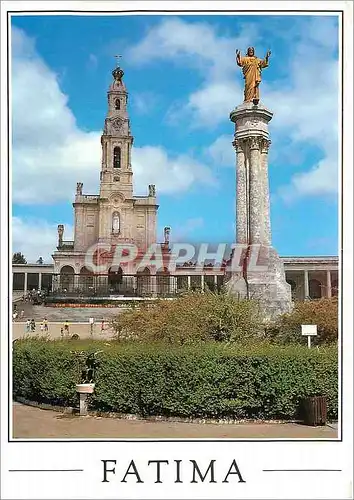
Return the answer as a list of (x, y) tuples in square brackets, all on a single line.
[(322, 312)]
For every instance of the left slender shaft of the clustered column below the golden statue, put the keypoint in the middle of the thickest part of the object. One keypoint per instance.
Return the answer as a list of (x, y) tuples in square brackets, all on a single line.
[(241, 193)]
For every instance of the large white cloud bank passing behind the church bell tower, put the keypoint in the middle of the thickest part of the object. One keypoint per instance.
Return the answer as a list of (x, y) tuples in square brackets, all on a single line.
[(51, 153)]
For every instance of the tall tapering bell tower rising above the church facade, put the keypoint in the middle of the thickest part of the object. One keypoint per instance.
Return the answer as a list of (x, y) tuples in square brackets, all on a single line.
[(116, 140)]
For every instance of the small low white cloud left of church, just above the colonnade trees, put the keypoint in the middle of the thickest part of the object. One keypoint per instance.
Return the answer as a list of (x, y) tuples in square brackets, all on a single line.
[(35, 237)]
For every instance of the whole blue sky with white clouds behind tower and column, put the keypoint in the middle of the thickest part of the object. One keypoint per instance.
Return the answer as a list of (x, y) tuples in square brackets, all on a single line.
[(183, 82)]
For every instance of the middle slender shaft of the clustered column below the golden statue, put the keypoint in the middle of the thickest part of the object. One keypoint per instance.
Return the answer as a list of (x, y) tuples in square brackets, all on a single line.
[(255, 191)]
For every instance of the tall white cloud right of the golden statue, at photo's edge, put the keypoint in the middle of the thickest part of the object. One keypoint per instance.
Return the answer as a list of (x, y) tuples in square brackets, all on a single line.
[(306, 109)]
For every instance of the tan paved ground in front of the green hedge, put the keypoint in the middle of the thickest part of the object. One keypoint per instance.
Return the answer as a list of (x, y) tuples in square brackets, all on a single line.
[(30, 422)]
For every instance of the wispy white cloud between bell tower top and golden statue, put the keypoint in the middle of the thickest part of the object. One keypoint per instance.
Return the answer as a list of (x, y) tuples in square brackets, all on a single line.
[(198, 45)]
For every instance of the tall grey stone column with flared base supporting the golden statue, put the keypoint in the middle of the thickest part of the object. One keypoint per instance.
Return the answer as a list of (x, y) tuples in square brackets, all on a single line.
[(262, 278)]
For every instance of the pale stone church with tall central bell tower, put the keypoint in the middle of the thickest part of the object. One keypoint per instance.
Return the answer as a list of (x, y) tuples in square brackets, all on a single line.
[(114, 216)]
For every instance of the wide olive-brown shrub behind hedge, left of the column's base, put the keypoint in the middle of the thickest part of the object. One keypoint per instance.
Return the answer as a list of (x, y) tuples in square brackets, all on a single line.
[(192, 317)]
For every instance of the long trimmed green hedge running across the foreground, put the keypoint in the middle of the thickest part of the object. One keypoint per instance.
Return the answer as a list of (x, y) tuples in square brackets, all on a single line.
[(209, 380)]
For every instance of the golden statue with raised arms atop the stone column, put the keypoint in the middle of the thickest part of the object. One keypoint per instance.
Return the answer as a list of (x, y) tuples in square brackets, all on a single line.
[(252, 68)]
